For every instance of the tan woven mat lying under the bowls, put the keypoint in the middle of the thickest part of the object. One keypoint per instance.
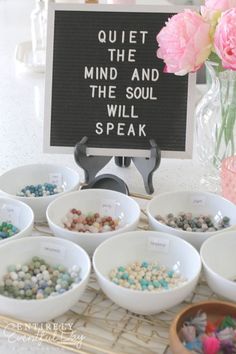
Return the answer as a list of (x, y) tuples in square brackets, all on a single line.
[(107, 328)]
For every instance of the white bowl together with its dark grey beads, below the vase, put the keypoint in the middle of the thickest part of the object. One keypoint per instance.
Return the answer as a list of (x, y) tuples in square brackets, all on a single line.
[(193, 216)]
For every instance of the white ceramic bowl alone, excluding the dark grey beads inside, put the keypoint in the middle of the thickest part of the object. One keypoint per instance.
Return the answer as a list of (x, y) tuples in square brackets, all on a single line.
[(194, 202)]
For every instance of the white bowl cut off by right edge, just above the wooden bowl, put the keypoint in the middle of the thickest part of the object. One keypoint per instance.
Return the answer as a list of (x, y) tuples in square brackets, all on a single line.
[(219, 264)]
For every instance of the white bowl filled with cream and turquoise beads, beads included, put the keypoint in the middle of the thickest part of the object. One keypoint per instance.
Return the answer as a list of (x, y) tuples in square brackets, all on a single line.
[(146, 272)]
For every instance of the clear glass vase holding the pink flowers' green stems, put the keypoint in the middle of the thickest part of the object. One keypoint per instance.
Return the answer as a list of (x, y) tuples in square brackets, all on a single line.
[(216, 124)]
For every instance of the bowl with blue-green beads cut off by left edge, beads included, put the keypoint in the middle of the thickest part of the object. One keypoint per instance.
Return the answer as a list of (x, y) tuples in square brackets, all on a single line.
[(16, 220)]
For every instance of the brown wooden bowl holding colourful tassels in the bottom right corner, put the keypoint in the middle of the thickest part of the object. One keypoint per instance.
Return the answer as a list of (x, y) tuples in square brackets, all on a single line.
[(206, 327)]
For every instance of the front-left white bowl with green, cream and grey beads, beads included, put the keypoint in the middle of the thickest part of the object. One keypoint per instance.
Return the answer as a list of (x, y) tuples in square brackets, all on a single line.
[(41, 277)]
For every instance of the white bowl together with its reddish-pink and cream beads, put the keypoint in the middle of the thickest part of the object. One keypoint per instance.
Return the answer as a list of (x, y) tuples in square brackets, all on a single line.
[(88, 217)]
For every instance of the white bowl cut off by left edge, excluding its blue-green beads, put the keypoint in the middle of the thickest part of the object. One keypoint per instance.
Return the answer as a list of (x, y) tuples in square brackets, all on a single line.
[(19, 214)]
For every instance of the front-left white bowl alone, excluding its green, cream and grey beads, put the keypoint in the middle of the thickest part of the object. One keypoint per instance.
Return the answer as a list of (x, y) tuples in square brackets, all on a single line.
[(54, 251)]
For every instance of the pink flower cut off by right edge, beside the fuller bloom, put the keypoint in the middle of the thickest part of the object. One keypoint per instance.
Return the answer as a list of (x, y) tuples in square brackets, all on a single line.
[(225, 39)]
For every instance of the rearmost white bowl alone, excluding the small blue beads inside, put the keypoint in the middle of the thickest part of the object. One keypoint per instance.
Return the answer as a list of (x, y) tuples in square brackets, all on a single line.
[(12, 181)]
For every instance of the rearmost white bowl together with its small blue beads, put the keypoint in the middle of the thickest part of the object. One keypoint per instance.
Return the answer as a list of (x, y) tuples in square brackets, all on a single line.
[(38, 185)]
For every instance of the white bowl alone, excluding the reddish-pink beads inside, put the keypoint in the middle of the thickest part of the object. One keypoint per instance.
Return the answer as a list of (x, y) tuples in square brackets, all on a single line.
[(93, 200)]
